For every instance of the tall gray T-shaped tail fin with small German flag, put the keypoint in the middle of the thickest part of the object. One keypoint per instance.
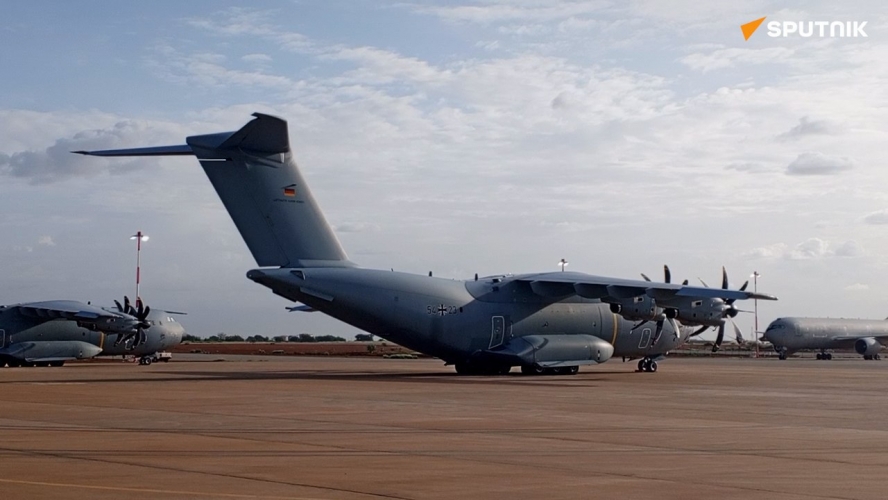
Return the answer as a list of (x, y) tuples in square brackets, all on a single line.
[(255, 175)]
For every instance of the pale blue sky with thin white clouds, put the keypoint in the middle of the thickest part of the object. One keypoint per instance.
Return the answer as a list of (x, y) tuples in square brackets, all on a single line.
[(469, 137)]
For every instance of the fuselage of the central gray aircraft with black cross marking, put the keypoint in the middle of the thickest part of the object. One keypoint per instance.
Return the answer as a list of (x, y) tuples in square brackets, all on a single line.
[(452, 319)]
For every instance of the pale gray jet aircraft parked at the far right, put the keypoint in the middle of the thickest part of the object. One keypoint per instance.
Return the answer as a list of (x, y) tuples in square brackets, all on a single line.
[(864, 336)]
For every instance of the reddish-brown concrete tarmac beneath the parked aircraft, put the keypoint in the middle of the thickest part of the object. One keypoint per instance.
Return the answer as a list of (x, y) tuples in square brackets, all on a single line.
[(346, 428)]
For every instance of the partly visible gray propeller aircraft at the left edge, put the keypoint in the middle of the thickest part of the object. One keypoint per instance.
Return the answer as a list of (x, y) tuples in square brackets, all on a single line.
[(52, 332)]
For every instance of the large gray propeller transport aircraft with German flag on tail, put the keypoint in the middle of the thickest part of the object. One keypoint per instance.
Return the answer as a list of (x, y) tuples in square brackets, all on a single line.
[(546, 323)]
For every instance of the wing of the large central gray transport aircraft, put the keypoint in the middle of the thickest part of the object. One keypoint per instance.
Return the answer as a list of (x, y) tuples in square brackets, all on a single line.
[(558, 284)]
